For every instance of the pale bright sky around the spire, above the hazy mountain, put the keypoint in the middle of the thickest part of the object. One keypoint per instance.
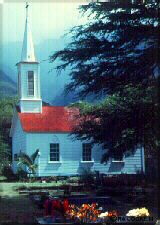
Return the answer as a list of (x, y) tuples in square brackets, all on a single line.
[(47, 19)]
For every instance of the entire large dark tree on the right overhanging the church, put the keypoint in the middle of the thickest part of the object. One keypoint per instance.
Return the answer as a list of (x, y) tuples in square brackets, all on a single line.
[(114, 57)]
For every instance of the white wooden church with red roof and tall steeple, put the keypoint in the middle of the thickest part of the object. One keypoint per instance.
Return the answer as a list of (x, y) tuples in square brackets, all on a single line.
[(47, 129)]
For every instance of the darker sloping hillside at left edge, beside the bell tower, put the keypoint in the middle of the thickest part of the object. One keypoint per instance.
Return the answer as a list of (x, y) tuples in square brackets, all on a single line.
[(7, 86)]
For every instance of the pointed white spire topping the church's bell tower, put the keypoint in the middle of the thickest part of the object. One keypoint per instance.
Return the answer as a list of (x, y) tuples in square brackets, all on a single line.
[(28, 48)]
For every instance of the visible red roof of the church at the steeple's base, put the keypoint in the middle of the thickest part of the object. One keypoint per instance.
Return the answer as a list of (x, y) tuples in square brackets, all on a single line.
[(52, 119)]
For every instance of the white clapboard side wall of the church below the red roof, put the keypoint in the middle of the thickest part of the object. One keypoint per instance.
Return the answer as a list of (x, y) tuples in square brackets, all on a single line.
[(71, 155)]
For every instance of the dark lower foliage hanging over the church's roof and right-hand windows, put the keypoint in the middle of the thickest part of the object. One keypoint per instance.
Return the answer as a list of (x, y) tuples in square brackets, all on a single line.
[(120, 123)]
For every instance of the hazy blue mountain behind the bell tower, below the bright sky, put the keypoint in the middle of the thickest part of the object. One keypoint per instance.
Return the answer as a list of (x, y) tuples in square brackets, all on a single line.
[(51, 84)]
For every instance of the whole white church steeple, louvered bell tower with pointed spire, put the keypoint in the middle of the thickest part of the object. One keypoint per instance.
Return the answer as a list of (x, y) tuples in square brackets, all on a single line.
[(29, 75)]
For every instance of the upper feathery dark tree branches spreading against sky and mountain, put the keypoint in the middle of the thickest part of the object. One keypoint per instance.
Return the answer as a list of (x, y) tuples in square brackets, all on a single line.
[(116, 47)]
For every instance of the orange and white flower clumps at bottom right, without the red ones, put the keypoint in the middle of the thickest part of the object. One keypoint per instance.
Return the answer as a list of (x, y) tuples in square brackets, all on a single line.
[(93, 214)]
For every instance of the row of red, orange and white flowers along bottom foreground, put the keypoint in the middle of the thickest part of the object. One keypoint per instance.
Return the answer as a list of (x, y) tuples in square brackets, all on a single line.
[(92, 213)]
